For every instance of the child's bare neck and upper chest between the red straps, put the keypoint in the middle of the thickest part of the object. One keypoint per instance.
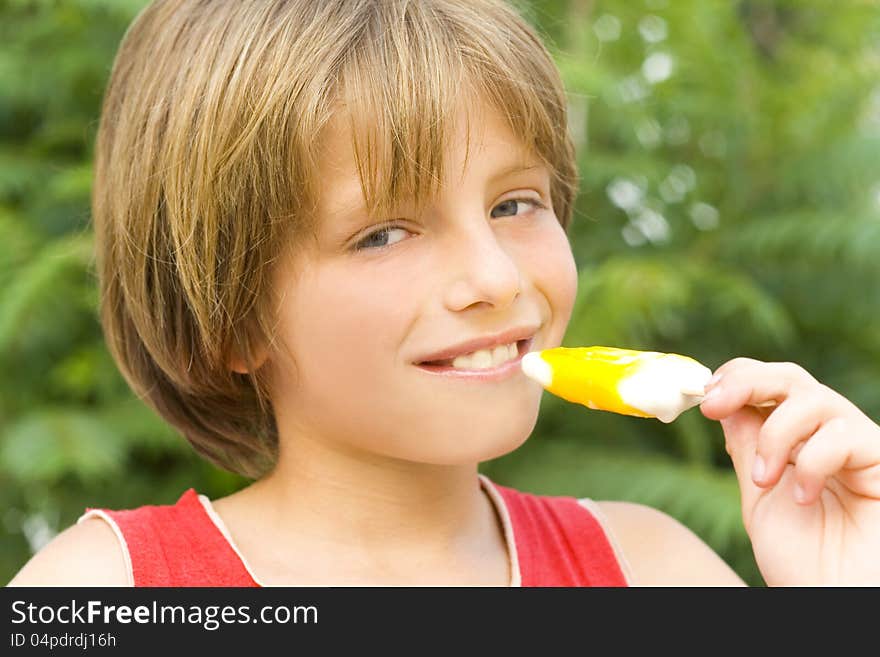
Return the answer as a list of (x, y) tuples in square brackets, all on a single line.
[(333, 506)]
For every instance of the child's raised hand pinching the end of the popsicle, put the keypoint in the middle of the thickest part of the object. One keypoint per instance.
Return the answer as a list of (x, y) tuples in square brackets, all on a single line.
[(808, 470)]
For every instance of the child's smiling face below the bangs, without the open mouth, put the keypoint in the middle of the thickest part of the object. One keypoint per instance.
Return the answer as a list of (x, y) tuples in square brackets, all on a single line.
[(358, 322)]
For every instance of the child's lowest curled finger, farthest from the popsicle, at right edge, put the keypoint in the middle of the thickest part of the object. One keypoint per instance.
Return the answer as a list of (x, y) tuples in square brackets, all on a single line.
[(836, 445)]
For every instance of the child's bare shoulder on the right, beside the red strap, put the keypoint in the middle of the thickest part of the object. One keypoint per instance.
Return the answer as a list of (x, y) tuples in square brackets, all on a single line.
[(659, 549)]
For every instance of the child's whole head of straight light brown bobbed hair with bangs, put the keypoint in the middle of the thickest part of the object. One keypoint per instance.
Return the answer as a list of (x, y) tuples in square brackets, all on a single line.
[(205, 160)]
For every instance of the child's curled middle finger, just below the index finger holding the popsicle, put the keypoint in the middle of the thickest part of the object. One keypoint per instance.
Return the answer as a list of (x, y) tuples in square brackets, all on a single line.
[(790, 423)]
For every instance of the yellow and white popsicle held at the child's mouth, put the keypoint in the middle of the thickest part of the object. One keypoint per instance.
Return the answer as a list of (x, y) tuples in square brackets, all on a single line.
[(626, 381)]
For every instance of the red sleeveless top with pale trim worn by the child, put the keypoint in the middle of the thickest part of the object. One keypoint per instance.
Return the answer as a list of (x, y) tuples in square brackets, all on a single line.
[(557, 542)]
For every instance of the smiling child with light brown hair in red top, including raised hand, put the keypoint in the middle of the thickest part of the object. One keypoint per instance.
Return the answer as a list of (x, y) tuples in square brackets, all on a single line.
[(300, 208)]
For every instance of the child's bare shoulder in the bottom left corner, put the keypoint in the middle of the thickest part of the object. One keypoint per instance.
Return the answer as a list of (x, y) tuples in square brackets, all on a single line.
[(85, 554)]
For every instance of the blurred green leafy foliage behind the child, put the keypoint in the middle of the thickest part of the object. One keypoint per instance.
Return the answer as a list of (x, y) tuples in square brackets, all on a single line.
[(730, 205)]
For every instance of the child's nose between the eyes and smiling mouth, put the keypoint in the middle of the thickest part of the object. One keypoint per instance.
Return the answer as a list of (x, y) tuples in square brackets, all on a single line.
[(481, 269)]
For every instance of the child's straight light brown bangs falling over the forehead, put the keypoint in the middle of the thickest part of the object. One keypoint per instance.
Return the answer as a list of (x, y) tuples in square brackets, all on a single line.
[(416, 64)]
